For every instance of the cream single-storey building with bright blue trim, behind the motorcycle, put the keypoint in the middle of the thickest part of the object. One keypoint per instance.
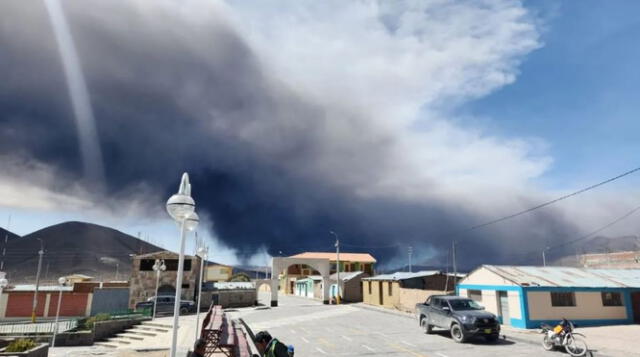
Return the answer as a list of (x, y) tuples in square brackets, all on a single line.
[(525, 296)]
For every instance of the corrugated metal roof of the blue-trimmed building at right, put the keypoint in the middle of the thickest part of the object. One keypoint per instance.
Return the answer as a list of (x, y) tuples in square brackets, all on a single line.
[(568, 276)]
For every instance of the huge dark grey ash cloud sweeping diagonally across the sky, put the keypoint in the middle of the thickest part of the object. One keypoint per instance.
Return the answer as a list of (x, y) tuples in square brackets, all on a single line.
[(174, 93)]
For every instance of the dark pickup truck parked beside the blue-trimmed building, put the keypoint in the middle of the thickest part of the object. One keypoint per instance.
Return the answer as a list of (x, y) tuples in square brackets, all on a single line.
[(462, 316)]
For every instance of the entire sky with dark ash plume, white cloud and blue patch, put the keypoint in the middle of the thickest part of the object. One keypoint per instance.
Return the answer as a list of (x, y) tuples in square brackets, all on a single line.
[(392, 124)]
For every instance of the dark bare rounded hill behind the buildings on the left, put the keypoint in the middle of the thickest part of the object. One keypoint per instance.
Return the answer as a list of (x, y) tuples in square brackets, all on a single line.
[(73, 247)]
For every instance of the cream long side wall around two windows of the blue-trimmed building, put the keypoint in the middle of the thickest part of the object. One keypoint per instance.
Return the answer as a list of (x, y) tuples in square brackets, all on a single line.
[(588, 306)]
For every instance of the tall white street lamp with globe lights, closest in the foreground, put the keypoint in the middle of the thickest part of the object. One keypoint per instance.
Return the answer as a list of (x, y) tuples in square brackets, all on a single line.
[(181, 207)]
